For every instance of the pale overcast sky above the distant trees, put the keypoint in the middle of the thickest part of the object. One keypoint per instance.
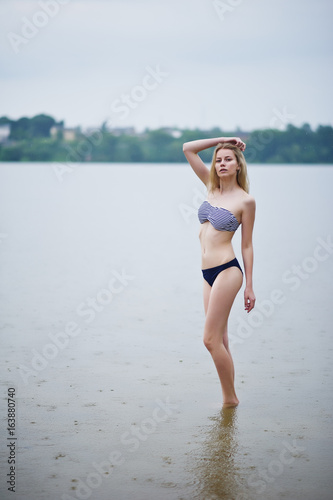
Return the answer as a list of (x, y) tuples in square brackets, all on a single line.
[(183, 63)]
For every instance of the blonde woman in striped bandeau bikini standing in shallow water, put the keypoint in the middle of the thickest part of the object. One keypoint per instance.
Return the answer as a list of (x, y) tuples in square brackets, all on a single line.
[(227, 206)]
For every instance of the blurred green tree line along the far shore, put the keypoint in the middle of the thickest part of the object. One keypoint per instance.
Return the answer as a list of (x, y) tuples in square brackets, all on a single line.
[(30, 139)]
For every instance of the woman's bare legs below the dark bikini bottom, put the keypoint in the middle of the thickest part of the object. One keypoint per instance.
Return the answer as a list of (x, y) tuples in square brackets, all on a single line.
[(218, 303)]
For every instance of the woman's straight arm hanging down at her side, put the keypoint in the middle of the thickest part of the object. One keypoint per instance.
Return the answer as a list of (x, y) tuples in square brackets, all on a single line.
[(247, 251)]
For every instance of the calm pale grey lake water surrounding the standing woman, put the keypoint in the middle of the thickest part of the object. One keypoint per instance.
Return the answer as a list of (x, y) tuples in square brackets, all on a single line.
[(102, 320)]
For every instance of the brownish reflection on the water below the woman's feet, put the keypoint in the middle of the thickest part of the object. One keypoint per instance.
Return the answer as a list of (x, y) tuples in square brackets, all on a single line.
[(216, 467)]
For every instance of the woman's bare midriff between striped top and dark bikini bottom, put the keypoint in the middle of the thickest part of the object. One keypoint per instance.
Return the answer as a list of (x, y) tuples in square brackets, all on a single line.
[(216, 247)]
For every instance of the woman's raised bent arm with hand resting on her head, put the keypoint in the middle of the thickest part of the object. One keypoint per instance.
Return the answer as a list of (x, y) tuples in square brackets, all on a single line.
[(192, 148)]
